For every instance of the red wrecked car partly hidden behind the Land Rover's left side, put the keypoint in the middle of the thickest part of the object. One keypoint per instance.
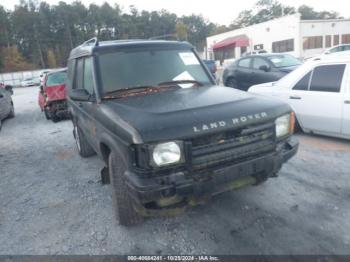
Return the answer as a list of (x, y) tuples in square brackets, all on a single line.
[(52, 96)]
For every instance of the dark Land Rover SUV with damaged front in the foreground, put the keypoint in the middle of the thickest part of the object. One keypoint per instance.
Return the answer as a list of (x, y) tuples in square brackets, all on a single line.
[(168, 136)]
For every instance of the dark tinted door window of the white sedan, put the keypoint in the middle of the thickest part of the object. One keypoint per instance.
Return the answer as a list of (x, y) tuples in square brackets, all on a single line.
[(327, 78)]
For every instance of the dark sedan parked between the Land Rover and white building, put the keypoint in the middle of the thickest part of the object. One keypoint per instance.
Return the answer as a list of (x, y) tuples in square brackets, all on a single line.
[(257, 69)]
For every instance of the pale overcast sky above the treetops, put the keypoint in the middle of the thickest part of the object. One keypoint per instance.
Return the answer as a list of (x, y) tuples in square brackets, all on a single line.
[(217, 11)]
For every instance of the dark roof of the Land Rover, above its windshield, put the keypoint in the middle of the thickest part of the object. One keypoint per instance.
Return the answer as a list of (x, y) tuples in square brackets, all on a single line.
[(92, 45)]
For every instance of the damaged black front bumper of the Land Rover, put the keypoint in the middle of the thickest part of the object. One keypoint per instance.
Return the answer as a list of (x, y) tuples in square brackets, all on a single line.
[(171, 194)]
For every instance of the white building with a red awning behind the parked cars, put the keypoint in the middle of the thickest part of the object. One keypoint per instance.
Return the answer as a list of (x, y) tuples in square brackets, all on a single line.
[(301, 38)]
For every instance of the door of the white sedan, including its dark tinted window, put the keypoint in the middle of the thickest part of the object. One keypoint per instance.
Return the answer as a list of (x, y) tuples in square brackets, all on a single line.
[(320, 107)]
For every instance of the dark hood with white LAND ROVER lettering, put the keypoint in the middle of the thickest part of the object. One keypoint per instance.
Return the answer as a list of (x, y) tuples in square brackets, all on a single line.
[(185, 113)]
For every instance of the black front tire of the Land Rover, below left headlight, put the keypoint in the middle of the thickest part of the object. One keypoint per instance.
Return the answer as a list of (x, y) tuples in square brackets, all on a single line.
[(124, 206)]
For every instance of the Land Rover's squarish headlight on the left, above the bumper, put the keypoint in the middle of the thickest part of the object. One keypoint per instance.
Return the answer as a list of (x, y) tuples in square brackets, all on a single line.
[(167, 153)]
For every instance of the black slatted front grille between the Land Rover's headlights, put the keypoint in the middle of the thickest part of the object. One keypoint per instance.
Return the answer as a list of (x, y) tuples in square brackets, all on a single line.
[(233, 146)]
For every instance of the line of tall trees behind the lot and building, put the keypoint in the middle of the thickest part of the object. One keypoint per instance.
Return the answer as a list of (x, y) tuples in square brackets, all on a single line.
[(41, 35)]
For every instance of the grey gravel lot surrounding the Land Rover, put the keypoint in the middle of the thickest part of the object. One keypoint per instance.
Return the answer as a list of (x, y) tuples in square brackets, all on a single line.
[(52, 202)]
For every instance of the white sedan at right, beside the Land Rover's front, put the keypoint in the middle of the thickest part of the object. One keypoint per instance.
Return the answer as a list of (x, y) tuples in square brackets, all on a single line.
[(319, 93)]
